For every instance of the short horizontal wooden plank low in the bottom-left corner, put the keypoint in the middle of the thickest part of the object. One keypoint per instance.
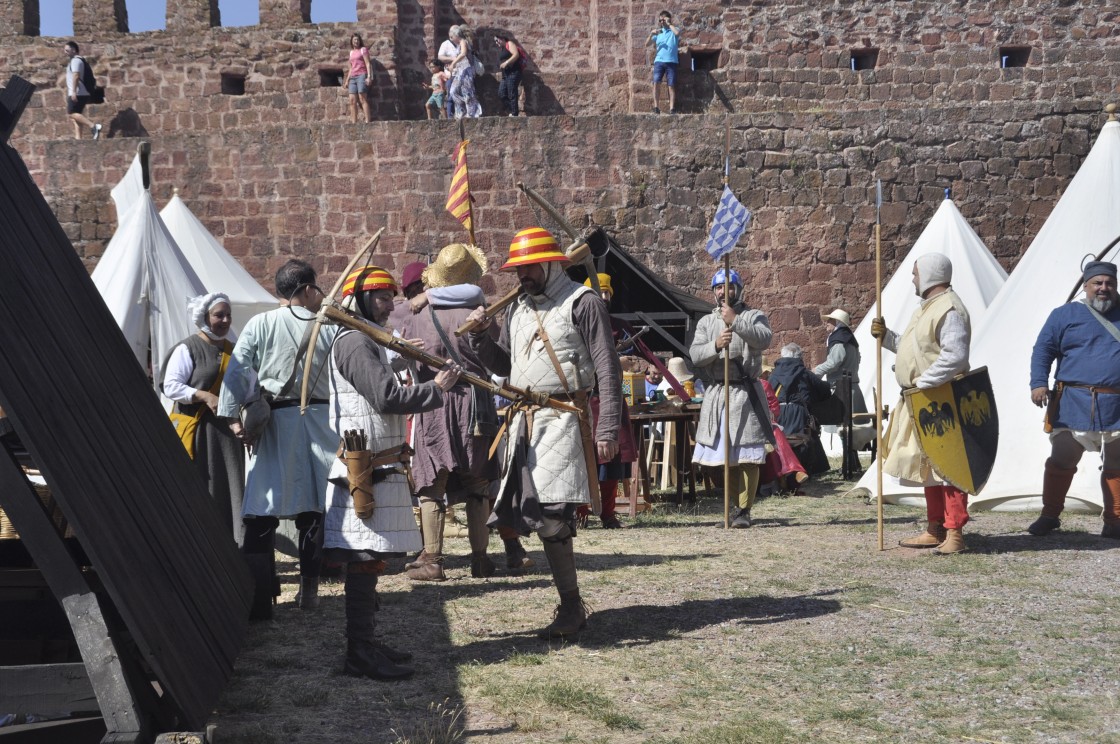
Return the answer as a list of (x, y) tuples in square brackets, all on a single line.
[(48, 690)]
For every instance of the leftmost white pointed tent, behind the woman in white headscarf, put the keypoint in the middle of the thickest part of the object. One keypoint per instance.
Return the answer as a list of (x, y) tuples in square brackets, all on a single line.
[(144, 277)]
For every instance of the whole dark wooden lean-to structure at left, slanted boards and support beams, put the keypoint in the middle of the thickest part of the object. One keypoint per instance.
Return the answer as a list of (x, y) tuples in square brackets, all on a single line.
[(162, 611)]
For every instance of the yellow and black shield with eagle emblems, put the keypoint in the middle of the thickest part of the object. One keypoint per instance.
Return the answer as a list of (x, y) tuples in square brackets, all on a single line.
[(959, 430)]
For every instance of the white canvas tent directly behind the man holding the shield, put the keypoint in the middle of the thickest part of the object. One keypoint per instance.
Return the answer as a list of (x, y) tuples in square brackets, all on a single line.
[(977, 278)]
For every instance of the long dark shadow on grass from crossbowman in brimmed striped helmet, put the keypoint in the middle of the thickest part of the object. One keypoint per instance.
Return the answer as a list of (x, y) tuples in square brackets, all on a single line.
[(647, 625)]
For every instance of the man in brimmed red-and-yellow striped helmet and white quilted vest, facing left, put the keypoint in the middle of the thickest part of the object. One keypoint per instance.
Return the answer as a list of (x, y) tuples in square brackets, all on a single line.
[(556, 340)]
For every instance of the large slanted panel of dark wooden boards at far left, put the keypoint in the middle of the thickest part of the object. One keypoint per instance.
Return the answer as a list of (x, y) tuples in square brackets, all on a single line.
[(89, 417)]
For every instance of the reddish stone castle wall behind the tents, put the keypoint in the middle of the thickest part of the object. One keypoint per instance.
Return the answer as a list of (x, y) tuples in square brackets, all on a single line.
[(278, 172)]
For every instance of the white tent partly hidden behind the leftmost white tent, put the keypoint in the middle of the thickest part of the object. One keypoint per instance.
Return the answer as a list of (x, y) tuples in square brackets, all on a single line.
[(220, 273)]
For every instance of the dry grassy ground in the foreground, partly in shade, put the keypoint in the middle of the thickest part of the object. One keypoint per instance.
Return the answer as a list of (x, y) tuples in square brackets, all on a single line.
[(797, 630)]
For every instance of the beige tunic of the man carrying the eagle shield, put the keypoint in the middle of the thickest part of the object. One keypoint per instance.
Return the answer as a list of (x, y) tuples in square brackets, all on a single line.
[(919, 348)]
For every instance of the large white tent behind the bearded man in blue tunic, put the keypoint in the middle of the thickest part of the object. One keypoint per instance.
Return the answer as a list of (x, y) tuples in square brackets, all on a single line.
[(1086, 220)]
